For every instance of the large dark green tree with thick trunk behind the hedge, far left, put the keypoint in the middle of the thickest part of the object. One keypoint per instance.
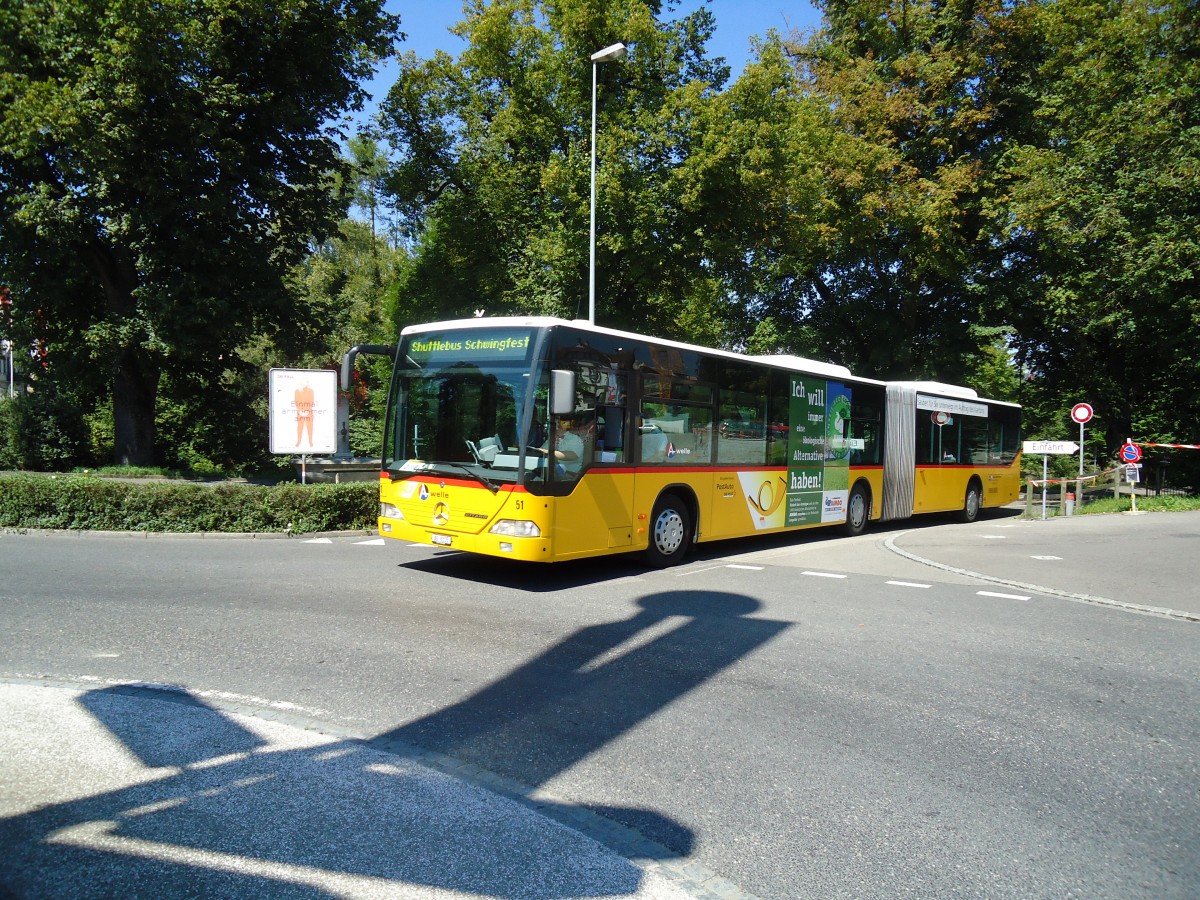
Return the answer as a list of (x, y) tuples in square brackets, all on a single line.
[(163, 165)]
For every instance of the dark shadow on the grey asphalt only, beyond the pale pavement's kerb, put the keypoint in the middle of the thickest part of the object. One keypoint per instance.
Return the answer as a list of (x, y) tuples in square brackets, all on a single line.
[(591, 689)]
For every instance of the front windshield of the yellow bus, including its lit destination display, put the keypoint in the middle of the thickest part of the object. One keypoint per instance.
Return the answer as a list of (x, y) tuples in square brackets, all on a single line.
[(460, 404)]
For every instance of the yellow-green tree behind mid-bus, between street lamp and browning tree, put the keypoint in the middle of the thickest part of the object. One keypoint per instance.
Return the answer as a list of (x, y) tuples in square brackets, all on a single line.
[(755, 187)]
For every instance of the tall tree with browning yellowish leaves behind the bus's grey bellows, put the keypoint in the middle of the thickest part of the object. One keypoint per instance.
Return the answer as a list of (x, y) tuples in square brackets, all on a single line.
[(907, 267)]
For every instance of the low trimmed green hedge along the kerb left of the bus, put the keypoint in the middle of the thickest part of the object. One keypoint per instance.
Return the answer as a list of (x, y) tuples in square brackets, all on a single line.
[(89, 503)]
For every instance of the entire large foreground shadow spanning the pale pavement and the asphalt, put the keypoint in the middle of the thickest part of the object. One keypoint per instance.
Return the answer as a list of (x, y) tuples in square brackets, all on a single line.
[(218, 809)]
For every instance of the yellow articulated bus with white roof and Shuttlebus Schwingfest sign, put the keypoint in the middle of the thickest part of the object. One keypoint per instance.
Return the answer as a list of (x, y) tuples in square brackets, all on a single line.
[(544, 440)]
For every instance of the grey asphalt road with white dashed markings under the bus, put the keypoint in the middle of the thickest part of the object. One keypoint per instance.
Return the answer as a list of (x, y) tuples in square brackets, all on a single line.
[(818, 718)]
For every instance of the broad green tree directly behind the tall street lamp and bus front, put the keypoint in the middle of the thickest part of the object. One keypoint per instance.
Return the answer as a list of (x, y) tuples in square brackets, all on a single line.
[(494, 165)]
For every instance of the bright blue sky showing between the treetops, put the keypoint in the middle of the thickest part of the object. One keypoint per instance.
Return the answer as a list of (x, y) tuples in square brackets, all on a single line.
[(737, 21)]
